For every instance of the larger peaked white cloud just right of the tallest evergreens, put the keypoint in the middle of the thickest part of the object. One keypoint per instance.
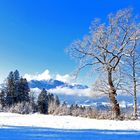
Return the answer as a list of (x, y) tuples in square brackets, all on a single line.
[(43, 76)]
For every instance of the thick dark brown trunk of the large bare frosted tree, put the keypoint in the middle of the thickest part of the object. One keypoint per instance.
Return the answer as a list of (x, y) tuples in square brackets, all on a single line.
[(112, 96)]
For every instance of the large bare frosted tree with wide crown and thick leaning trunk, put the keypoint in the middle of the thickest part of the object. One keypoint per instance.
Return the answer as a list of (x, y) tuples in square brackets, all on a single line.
[(105, 46)]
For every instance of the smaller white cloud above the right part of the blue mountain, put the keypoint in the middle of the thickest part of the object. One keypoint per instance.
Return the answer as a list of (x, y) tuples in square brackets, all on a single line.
[(64, 78)]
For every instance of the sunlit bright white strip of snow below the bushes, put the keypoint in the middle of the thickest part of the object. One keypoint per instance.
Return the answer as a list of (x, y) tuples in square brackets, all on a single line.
[(65, 122)]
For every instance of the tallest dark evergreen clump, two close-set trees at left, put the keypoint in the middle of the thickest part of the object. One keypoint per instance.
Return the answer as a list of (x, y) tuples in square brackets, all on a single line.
[(17, 89)]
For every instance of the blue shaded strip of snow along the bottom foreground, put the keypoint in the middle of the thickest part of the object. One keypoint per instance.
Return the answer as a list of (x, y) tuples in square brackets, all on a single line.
[(37, 133)]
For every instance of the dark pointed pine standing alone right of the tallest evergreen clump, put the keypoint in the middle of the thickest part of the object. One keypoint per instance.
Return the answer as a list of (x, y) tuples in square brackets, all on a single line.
[(43, 102)]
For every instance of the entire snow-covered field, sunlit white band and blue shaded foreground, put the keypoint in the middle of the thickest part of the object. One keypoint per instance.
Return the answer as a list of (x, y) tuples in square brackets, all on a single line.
[(46, 127)]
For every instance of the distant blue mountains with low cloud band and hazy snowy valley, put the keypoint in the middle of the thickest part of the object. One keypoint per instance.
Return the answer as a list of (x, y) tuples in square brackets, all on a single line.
[(77, 94)]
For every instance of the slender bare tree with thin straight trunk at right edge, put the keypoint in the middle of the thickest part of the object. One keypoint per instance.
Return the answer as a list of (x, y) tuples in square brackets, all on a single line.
[(132, 72)]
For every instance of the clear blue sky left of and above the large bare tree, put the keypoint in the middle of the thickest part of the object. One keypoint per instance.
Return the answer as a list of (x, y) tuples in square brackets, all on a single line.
[(34, 33)]
